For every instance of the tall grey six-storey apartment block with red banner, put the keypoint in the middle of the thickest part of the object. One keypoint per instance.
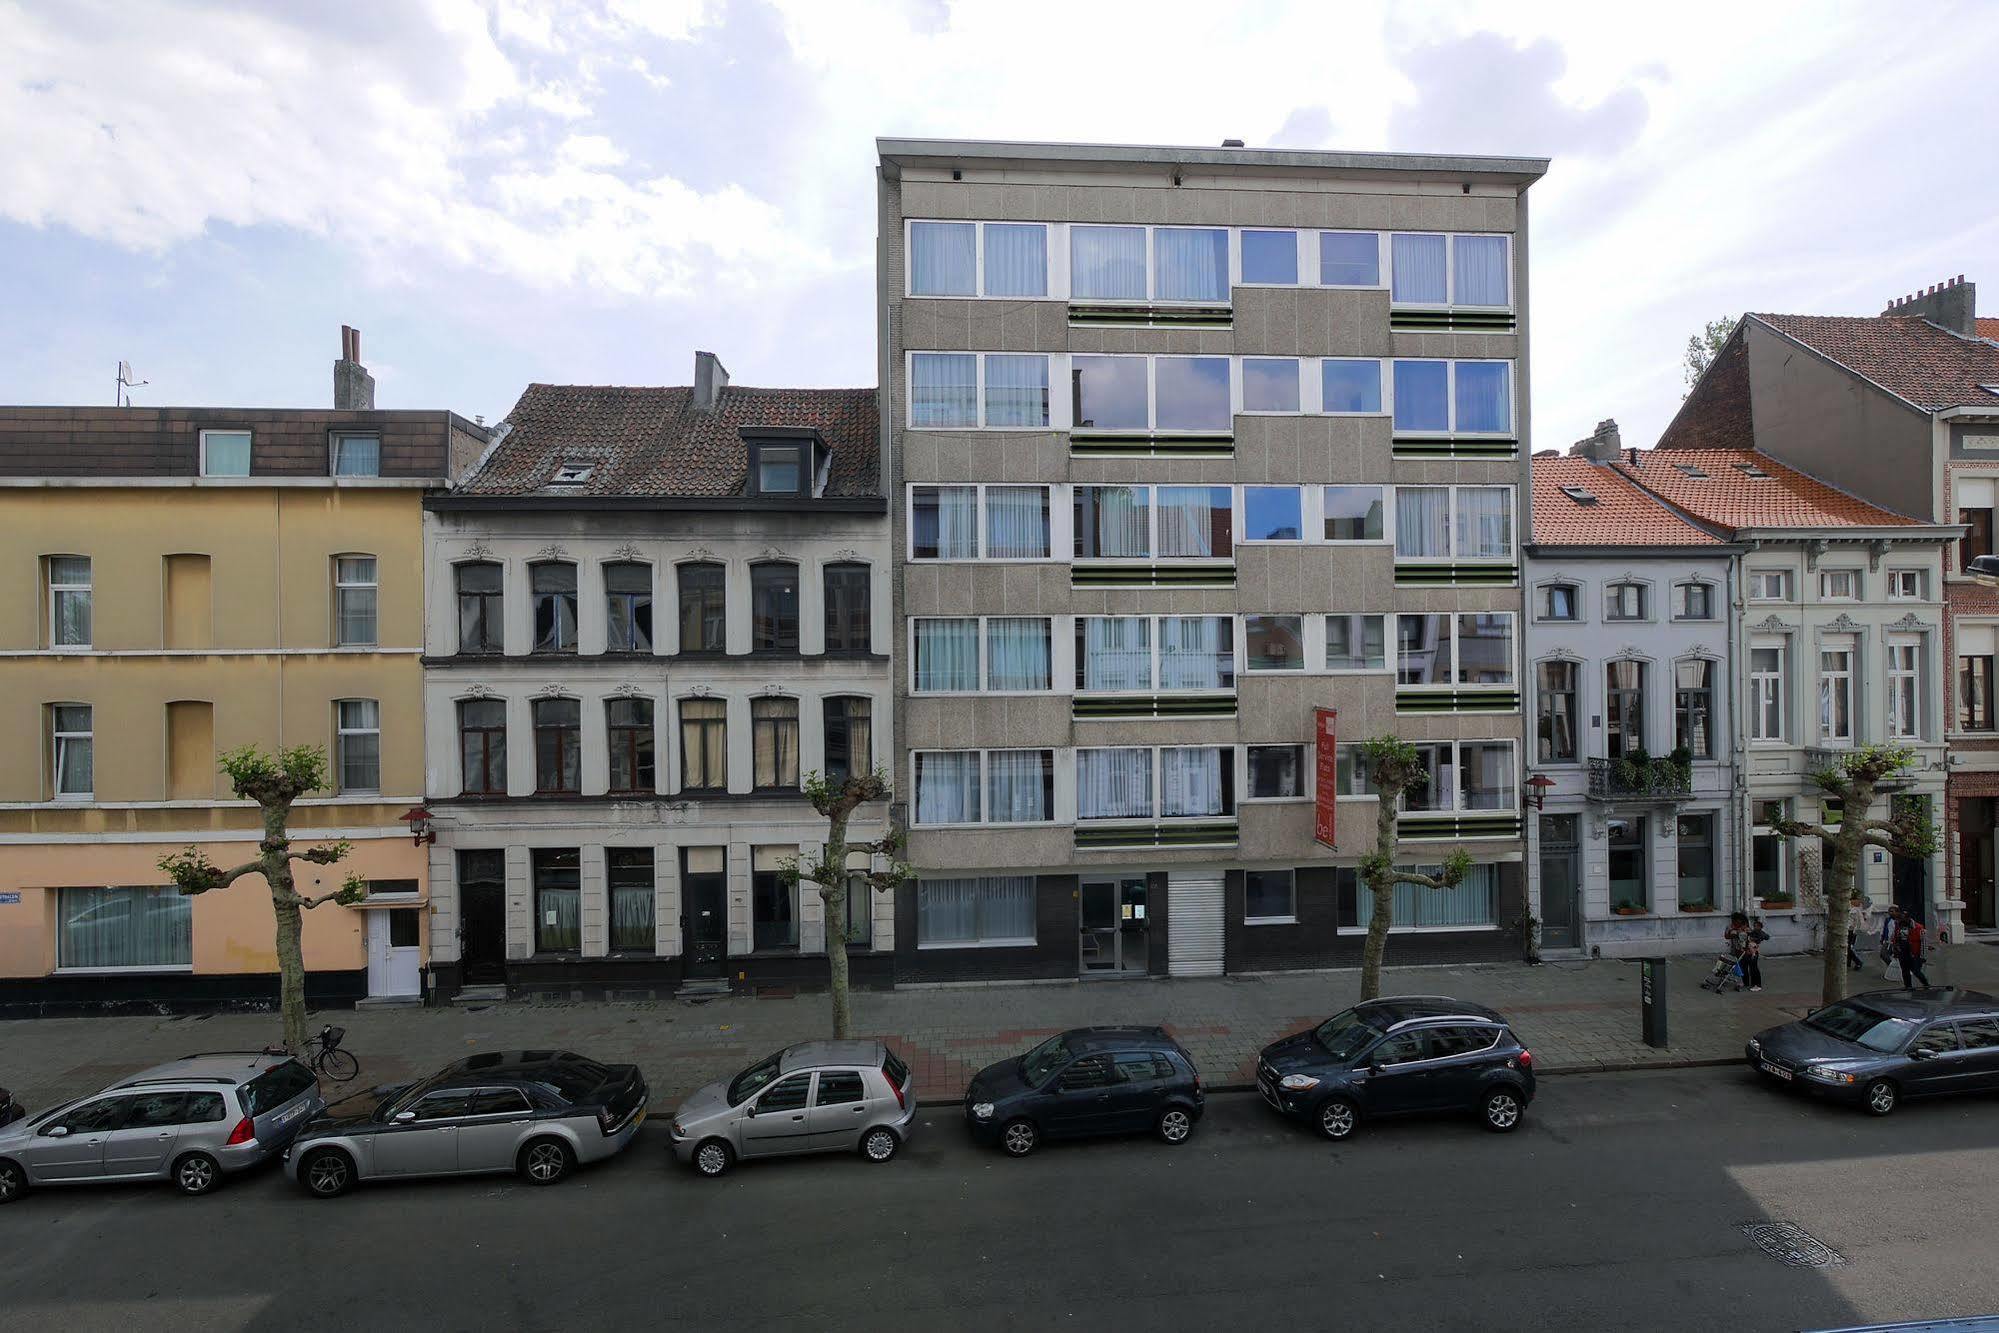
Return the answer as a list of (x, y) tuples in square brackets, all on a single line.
[(1186, 445)]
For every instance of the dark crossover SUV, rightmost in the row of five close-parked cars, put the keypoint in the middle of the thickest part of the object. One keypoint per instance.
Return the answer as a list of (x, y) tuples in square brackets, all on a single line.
[(1400, 1056)]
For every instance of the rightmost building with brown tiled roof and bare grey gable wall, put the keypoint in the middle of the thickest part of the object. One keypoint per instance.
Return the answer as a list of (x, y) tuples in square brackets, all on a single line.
[(1904, 411)]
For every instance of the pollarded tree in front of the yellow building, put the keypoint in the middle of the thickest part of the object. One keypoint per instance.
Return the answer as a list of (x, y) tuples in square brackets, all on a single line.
[(275, 780)]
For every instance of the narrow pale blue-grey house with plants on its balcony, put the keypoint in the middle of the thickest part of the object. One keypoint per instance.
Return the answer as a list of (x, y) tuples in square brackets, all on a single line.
[(1638, 846)]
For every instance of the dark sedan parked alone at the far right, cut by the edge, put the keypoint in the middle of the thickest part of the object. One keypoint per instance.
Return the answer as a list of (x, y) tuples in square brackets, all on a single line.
[(1876, 1050)]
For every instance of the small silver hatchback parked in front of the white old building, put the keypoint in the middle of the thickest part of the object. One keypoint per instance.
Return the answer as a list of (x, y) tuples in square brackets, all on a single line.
[(811, 1098)]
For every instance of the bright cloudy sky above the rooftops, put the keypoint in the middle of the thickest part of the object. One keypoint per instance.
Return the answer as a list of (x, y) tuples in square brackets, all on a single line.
[(511, 191)]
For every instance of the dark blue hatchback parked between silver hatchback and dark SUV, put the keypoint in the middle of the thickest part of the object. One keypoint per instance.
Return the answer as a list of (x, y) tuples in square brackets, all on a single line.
[(1086, 1082)]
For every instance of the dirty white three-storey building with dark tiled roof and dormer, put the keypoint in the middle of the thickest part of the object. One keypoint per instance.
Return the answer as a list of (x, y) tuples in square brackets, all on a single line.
[(655, 613)]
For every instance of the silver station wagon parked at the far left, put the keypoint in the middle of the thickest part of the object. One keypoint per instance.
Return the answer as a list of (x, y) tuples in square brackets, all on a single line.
[(193, 1122)]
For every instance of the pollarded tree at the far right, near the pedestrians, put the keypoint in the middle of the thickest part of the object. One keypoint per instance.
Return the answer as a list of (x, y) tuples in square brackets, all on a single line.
[(1854, 782)]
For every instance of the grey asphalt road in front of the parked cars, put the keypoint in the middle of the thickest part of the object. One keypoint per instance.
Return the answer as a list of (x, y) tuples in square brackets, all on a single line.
[(1618, 1204)]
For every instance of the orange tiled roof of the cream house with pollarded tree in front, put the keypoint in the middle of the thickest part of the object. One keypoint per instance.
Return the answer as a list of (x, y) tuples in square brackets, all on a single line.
[(1734, 499)]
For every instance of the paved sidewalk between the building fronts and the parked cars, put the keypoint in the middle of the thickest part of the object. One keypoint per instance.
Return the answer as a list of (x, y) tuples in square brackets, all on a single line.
[(1576, 1018)]
